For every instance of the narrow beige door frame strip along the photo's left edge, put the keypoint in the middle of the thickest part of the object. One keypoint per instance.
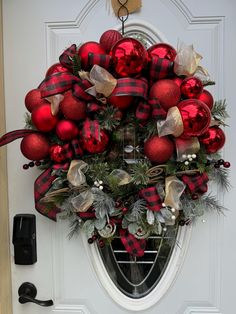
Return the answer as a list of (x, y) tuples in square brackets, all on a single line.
[(5, 282)]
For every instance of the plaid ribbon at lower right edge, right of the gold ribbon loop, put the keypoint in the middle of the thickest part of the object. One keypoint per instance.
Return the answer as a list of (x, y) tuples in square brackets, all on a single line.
[(197, 184)]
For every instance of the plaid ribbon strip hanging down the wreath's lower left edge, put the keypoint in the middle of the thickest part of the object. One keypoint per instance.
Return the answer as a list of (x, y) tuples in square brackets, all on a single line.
[(41, 186)]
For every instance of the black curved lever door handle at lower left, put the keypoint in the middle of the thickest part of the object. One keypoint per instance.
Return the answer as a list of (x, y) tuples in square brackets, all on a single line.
[(27, 293)]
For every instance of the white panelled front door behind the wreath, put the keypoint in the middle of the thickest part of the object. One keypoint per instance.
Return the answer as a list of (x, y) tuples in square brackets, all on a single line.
[(35, 34)]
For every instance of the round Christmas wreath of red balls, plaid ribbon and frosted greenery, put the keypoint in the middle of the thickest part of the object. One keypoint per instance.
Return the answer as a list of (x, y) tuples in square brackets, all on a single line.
[(127, 138)]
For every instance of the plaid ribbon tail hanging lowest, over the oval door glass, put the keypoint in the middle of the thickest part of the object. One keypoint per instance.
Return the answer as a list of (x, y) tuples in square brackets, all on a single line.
[(132, 245)]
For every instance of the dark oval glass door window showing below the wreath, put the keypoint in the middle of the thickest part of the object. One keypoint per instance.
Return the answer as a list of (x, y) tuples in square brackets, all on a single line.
[(138, 276)]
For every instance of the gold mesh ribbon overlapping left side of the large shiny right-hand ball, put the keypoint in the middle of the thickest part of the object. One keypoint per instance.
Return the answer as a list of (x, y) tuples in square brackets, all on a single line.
[(172, 125)]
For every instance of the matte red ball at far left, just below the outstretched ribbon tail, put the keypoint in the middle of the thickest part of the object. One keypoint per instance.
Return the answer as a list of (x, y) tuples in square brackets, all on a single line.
[(35, 146)]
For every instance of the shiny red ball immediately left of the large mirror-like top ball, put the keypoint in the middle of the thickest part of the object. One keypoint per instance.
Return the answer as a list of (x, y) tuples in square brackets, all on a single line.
[(86, 49)]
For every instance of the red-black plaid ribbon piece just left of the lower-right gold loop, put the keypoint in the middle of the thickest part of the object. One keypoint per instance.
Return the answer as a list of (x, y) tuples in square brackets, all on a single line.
[(152, 198)]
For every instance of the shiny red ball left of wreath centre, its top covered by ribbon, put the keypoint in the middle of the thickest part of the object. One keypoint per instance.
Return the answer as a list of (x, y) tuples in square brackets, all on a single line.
[(95, 146)]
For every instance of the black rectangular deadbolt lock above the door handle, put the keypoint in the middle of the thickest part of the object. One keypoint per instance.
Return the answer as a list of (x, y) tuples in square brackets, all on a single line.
[(24, 239)]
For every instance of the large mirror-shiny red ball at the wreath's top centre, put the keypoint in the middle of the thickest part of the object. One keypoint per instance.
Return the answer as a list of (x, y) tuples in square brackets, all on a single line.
[(129, 57)]
